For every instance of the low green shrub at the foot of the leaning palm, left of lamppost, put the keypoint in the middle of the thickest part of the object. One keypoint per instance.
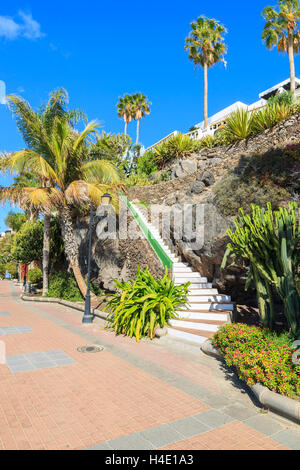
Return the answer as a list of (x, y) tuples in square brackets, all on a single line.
[(63, 285)]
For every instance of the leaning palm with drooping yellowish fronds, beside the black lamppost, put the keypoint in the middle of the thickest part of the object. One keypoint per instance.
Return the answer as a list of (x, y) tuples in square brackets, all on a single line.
[(70, 180)]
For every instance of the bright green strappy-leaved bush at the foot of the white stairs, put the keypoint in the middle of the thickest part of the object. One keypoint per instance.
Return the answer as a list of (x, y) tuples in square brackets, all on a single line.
[(144, 304)]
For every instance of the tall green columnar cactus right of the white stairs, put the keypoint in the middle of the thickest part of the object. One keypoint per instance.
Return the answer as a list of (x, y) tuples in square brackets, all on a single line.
[(269, 240)]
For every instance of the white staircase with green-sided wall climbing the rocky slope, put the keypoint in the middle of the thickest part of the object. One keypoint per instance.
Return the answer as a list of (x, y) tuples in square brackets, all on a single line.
[(206, 309)]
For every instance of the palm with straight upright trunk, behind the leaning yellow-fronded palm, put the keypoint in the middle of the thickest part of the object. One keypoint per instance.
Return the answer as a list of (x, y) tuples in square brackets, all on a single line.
[(34, 127)]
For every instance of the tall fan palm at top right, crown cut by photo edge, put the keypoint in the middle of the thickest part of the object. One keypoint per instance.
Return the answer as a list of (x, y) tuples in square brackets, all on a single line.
[(282, 30)]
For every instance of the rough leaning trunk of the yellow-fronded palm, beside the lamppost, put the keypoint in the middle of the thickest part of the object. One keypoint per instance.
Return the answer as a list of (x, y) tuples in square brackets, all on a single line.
[(71, 247)]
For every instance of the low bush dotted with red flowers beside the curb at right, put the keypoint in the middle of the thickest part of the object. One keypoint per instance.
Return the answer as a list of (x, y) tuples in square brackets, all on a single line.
[(258, 358)]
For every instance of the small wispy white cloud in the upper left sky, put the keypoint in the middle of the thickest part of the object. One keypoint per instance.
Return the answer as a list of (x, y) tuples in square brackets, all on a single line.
[(26, 27)]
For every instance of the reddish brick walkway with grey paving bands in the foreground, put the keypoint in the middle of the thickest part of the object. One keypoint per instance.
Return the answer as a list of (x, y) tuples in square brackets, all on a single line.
[(151, 395)]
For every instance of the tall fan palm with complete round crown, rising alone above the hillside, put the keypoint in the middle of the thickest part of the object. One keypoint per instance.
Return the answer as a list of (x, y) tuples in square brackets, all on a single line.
[(206, 47)]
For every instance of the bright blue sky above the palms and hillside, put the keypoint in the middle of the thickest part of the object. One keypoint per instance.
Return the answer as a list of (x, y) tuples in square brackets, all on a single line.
[(99, 50)]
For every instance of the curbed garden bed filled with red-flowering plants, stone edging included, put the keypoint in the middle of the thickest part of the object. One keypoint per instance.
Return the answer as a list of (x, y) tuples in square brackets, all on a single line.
[(265, 361)]
